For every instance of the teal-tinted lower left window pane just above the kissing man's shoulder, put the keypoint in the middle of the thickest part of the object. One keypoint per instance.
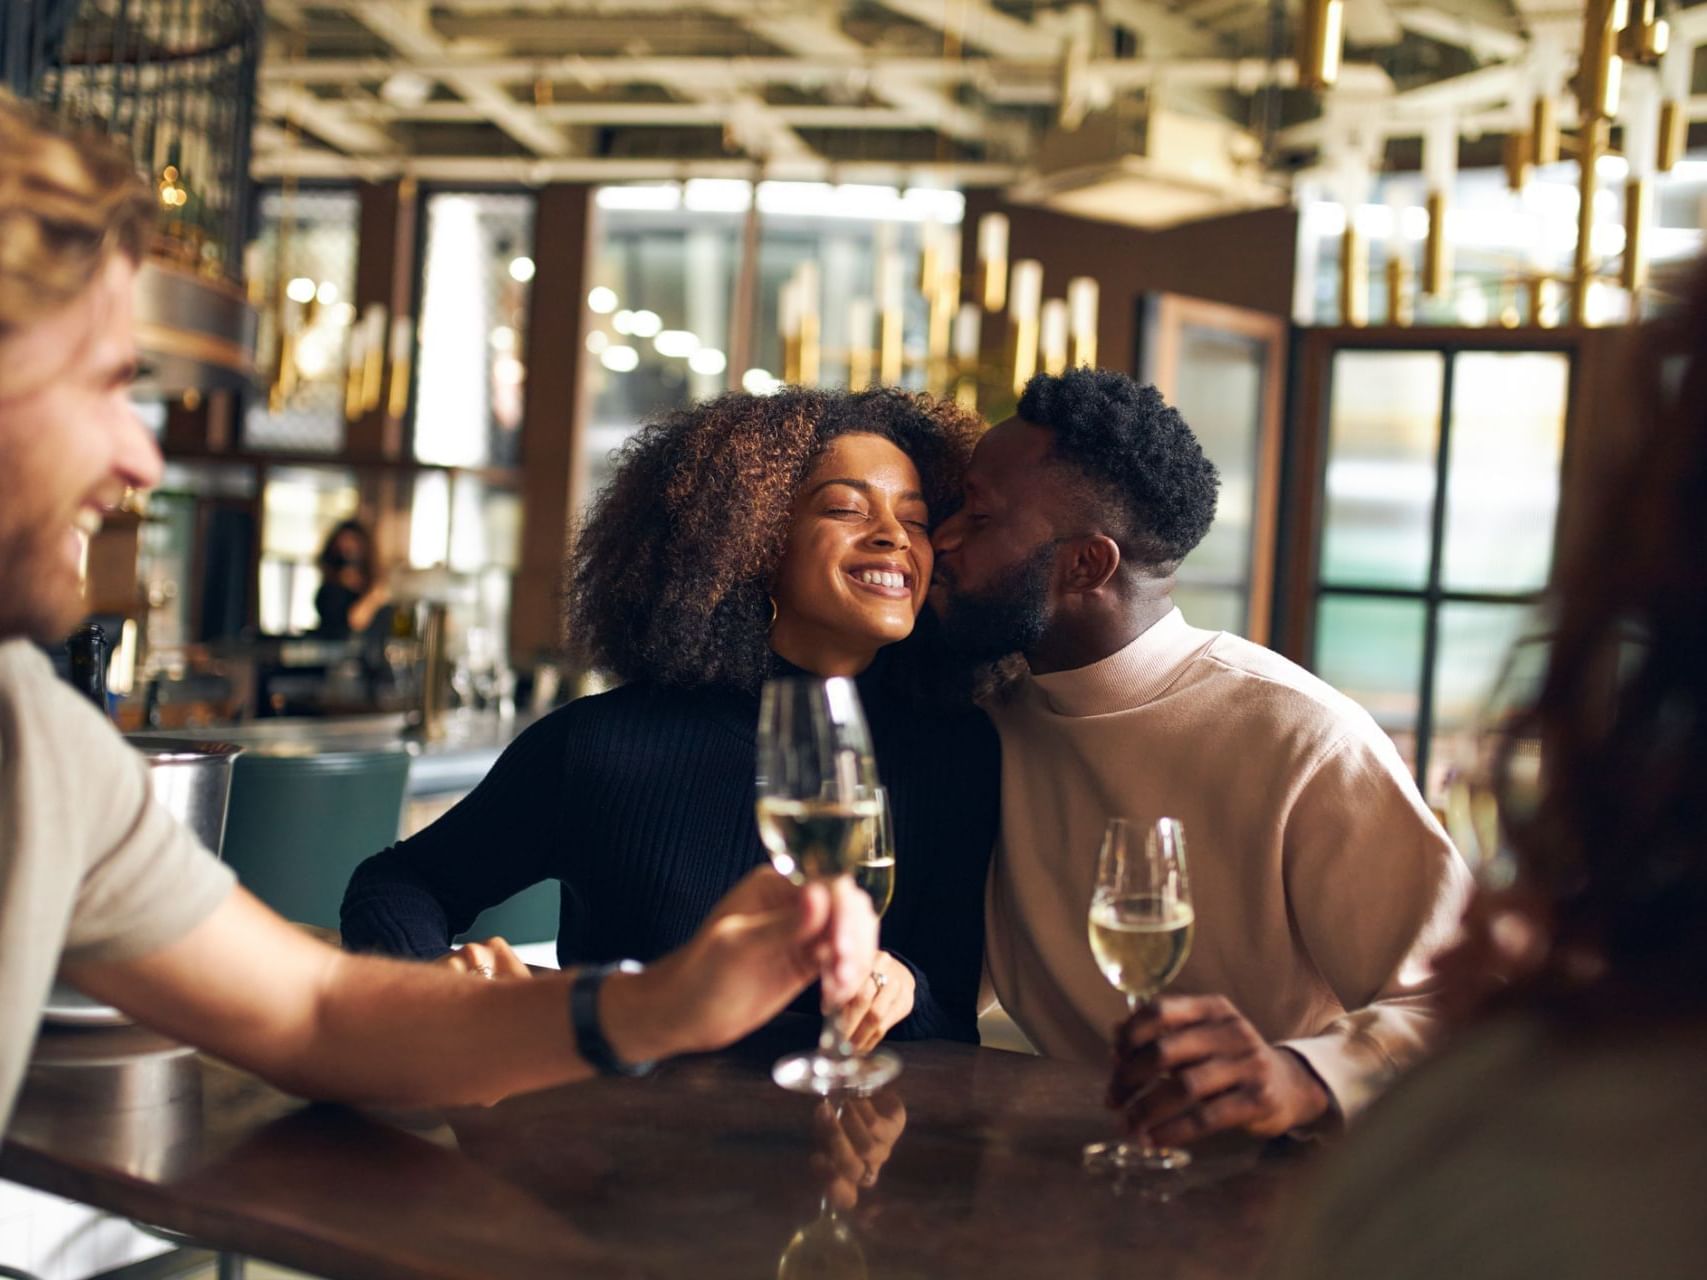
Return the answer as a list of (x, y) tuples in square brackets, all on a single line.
[(1372, 651)]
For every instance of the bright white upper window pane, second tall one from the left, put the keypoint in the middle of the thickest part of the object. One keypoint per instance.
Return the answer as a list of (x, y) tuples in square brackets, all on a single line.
[(475, 282)]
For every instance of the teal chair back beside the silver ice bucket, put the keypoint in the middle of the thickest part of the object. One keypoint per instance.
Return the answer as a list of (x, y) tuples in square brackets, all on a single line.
[(300, 822)]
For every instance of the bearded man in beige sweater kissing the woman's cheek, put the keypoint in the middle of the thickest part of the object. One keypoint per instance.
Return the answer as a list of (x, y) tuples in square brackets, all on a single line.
[(1322, 881)]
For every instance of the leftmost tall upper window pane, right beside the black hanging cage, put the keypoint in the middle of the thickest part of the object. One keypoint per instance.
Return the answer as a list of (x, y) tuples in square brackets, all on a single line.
[(305, 259)]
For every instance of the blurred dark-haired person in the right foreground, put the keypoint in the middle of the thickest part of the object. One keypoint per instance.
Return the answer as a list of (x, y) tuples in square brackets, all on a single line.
[(1559, 1132)]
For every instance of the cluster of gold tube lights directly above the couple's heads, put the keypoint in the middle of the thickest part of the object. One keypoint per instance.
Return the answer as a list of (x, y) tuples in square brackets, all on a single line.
[(1052, 335)]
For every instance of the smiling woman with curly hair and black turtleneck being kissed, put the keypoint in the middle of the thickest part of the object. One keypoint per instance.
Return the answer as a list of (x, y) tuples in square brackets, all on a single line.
[(740, 538)]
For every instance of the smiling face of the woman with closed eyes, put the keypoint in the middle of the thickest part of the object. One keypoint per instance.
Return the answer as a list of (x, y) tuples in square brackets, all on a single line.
[(858, 566)]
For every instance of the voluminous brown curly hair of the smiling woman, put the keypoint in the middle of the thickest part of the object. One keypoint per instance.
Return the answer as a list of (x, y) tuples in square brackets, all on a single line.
[(672, 571)]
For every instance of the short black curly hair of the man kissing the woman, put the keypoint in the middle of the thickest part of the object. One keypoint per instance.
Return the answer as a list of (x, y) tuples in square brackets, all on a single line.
[(1141, 460)]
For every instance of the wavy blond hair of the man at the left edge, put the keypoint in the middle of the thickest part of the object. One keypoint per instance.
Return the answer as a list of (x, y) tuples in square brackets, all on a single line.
[(66, 204)]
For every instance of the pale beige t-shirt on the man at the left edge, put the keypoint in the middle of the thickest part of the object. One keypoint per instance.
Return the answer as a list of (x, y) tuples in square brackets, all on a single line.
[(91, 866)]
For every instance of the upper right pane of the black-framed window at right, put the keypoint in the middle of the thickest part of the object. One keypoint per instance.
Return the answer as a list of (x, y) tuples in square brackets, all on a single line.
[(1503, 474)]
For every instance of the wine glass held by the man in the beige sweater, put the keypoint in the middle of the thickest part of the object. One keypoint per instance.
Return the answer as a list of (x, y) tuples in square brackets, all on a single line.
[(1141, 933)]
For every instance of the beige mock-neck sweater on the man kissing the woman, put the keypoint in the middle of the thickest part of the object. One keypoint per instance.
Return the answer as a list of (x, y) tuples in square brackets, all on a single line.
[(1322, 881)]
